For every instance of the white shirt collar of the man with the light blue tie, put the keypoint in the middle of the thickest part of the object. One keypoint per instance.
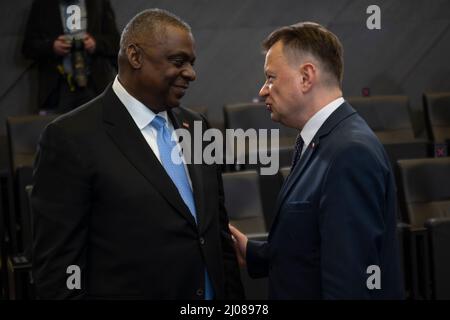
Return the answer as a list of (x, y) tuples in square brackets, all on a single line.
[(141, 115)]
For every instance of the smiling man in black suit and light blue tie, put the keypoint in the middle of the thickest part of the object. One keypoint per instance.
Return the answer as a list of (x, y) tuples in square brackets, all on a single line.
[(108, 199)]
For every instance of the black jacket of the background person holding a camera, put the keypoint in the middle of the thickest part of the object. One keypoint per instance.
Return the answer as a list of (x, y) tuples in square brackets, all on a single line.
[(44, 26)]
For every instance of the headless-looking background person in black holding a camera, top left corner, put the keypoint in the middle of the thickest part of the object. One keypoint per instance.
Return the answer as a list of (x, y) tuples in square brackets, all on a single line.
[(48, 42)]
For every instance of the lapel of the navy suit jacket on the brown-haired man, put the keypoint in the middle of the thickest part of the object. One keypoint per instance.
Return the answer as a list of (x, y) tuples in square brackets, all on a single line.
[(341, 113)]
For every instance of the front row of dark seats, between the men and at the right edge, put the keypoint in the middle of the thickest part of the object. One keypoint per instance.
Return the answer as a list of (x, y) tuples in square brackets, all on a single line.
[(424, 231)]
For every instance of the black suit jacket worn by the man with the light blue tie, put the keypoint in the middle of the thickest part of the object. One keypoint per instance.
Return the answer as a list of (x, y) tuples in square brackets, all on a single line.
[(102, 201)]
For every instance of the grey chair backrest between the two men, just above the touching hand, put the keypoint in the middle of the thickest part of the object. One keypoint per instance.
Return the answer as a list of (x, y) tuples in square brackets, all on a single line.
[(243, 201)]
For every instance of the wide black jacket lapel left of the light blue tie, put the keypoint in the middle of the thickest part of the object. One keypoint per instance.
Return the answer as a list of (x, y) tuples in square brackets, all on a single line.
[(126, 135)]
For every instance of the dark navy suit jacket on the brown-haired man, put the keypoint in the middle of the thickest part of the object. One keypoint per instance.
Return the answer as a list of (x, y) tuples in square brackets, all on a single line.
[(335, 217)]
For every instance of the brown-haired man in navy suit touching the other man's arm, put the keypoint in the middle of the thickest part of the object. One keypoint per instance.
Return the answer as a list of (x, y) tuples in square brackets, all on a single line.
[(334, 234)]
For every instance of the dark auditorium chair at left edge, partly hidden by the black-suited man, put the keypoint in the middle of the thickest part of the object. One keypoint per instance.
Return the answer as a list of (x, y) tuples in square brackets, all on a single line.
[(23, 133)]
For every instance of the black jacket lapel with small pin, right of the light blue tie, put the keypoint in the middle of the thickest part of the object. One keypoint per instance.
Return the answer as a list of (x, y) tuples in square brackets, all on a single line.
[(195, 170)]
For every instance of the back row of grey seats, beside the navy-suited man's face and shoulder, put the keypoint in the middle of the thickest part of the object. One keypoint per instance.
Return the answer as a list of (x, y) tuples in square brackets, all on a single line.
[(388, 116)]
